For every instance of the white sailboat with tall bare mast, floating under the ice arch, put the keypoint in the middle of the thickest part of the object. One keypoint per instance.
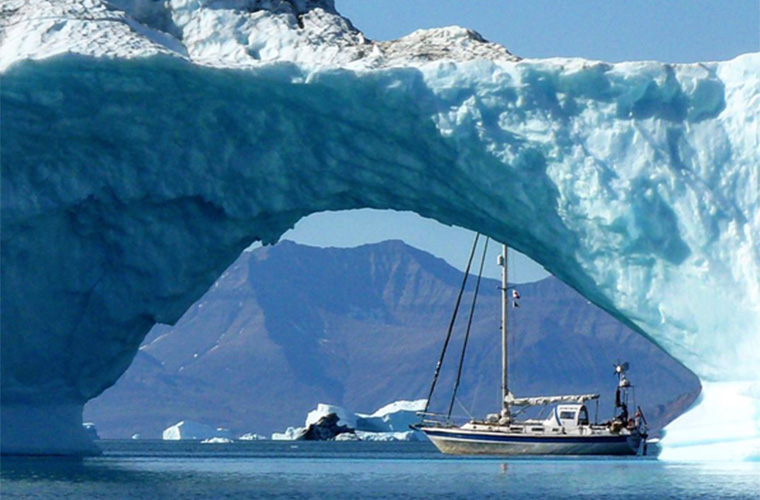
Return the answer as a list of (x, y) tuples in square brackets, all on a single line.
[(567, 430)]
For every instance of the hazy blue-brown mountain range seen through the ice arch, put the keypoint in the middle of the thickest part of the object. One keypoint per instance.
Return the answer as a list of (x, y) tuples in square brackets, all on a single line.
[(289, 326)]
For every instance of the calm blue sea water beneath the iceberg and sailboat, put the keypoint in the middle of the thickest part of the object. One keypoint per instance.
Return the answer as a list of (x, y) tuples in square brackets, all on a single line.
[(349, 470)]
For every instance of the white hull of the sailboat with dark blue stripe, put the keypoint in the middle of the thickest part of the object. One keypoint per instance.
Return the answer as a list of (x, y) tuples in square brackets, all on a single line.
[(467, 442)]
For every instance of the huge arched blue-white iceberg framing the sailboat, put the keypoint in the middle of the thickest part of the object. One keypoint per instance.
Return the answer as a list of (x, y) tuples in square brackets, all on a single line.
[(146, 144)]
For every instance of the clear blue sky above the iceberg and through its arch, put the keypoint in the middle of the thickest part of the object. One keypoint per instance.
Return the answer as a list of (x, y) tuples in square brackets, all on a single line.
[(676, 31)]
